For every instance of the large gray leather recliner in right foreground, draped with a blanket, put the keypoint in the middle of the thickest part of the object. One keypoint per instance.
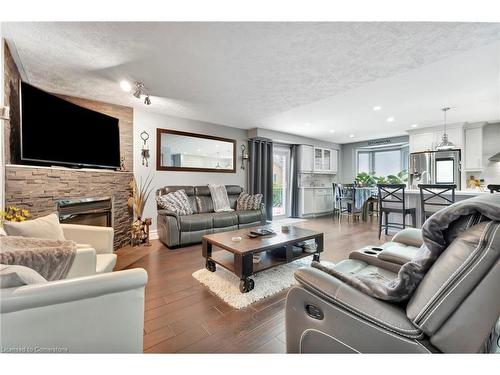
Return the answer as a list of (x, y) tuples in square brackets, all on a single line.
[(453, 310)]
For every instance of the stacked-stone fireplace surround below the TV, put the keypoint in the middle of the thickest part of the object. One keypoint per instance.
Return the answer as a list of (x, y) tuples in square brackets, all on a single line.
[(42, 189)]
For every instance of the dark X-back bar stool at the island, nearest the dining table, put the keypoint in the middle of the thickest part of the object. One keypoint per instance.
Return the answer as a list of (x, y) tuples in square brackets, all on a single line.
[(389, 193)]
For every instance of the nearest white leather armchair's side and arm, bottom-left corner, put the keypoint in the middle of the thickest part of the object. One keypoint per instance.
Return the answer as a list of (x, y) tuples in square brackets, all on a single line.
[(95, 314)]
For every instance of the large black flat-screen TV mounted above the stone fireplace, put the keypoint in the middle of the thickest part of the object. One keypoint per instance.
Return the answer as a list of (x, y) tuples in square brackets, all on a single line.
[(57, 132)]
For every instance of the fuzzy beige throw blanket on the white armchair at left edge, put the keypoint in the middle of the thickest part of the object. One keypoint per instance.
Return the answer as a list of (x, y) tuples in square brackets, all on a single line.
[(50, 258)]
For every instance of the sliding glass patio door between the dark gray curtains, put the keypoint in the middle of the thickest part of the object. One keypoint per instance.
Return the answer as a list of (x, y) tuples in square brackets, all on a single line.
[(281, 188)]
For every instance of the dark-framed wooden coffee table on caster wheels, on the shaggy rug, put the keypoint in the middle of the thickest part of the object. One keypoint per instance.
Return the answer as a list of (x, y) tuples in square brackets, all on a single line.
[(237, 257)]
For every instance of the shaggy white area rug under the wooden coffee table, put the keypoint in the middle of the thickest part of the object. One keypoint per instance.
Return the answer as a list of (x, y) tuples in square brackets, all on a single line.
[(225, 284)]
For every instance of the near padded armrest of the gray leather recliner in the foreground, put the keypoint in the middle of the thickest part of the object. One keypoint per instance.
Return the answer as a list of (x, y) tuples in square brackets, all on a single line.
[(388, 316)]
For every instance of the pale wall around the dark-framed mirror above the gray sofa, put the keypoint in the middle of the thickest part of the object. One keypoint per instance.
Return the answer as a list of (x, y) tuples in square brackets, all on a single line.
[(150, 122)]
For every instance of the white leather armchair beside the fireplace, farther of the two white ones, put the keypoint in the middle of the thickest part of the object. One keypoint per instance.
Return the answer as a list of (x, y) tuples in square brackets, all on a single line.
[(95, 249)]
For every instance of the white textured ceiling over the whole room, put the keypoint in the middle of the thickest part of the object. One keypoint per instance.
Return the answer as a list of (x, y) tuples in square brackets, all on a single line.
[(304, 78)]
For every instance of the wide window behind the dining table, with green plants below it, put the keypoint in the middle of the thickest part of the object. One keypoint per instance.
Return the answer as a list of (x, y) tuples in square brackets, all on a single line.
[(382, 162)]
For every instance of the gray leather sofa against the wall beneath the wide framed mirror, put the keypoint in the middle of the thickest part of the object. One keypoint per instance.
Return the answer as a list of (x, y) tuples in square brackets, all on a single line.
[(175, 230)]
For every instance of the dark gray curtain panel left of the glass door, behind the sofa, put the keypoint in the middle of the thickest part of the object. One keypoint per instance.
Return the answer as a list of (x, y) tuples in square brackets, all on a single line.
[(260, 171)]
